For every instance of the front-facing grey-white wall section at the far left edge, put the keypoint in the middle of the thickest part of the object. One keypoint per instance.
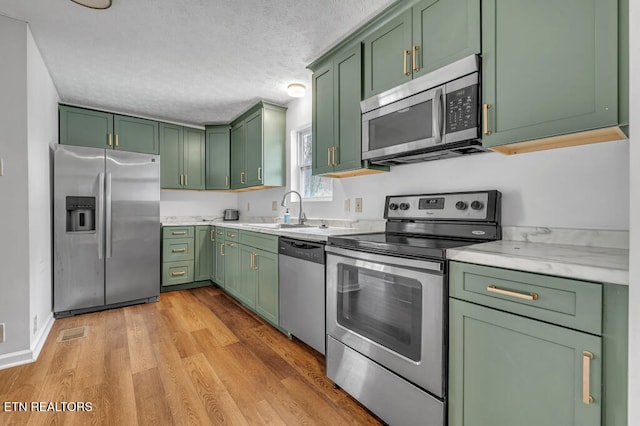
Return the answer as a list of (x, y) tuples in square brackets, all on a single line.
[(14, 220)]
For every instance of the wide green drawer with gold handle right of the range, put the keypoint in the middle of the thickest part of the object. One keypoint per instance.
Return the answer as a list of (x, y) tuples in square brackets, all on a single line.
[(571, 303)]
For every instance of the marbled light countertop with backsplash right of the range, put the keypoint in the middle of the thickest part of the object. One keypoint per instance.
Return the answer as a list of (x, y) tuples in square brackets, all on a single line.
[(601, 256)]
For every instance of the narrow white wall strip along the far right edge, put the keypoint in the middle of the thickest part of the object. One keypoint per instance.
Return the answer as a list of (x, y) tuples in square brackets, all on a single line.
[(634, 254)]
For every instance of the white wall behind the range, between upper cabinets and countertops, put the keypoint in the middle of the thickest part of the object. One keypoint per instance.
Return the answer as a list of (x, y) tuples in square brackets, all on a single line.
[(579, 187)]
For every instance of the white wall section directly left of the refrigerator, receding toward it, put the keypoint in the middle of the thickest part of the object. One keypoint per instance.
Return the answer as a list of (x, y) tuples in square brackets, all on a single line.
[(42, 128)]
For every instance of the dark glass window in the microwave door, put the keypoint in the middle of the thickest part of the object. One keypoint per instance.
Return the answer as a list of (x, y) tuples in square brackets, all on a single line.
[(406, 125)]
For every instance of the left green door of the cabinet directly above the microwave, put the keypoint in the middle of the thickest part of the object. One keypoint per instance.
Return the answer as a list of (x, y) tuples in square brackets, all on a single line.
[(387, 55)]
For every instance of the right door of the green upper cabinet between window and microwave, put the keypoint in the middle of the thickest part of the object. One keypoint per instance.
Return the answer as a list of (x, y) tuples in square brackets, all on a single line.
[(348, 119)]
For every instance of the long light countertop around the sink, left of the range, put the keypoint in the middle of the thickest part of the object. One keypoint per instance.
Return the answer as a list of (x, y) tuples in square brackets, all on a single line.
[(318, 229)]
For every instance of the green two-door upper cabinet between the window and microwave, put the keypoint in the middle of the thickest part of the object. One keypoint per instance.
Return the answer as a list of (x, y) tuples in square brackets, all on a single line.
[(337, 121)]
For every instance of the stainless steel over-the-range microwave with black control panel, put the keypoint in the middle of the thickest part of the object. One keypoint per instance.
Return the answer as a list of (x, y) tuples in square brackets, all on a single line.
[(431, 117)]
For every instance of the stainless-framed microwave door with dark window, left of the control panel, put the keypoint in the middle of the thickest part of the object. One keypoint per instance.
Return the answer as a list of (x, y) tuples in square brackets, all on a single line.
[(411, 124)]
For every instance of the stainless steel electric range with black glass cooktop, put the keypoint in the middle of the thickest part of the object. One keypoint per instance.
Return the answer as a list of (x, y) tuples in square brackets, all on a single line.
[(387, 302)]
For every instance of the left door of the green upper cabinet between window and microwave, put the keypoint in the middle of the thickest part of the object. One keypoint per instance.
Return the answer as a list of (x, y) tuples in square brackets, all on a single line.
[(323, 120)]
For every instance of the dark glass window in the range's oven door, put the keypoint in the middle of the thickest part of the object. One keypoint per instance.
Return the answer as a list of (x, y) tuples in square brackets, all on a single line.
[(383, 307)]
